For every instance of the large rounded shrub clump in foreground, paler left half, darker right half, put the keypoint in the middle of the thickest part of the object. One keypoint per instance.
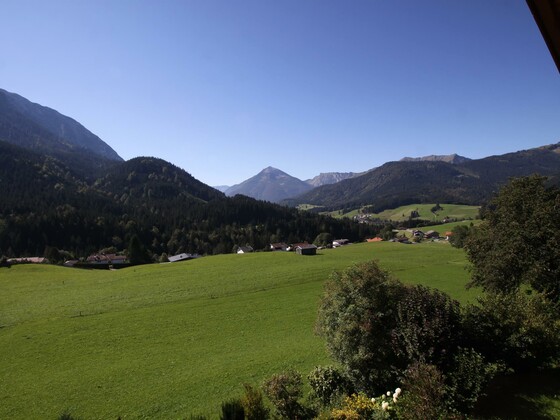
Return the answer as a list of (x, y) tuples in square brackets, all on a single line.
[(376, 327)]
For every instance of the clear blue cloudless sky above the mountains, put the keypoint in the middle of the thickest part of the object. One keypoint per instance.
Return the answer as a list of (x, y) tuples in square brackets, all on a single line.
[(226, 88)]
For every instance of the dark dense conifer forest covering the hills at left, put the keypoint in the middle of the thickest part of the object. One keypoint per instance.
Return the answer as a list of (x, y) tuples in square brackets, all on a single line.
[(47, 206)]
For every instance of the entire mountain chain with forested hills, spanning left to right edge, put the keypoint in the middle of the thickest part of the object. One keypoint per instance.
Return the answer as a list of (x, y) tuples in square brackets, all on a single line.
[(63, 187)]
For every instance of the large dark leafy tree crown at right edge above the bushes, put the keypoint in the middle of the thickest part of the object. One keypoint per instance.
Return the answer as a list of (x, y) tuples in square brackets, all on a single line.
[(518, 243)]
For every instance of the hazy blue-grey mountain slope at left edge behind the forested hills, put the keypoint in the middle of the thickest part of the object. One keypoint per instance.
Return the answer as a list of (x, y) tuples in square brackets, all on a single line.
[(42, 129)]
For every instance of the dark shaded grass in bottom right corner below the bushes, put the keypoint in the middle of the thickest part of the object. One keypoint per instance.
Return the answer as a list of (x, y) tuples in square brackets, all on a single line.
[(521, 396)]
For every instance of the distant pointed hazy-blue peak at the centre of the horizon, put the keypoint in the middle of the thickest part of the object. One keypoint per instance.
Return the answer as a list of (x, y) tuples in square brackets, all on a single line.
[(270, 184)]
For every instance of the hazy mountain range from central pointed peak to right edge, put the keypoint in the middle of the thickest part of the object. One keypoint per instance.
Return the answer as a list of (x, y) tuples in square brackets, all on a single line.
[(429, 179)]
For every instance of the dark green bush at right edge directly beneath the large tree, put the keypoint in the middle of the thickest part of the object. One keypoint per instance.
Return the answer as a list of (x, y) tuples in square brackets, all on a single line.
[(518, 329)]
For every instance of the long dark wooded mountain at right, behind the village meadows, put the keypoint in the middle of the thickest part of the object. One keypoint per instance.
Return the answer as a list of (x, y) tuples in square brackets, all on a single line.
[(431, 181)]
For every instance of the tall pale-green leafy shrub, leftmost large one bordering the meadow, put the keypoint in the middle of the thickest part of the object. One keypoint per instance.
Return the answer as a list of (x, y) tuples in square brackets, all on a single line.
[(357, 316)]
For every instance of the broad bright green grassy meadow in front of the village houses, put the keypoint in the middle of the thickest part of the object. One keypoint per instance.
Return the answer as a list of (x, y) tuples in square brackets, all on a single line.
[(167, 341)]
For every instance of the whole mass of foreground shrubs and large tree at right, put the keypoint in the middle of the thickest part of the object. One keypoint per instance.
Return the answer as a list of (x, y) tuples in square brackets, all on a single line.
[(384, 332)]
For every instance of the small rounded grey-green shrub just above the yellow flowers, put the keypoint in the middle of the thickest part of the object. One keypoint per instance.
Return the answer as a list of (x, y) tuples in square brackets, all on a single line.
[(327, 384)]
